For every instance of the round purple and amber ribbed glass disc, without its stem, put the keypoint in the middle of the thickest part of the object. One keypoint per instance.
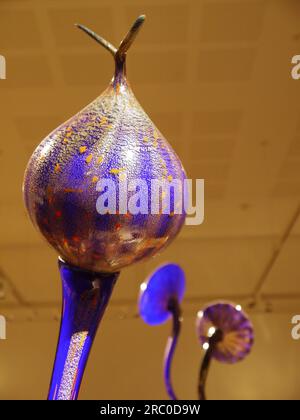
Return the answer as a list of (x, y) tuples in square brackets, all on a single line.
[(236, 328)]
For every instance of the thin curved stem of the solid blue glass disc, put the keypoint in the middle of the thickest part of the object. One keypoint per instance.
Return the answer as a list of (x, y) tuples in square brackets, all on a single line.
[(174, 308)]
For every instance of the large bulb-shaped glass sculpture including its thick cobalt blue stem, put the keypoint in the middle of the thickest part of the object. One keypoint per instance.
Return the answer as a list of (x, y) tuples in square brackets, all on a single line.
[(111, 139)]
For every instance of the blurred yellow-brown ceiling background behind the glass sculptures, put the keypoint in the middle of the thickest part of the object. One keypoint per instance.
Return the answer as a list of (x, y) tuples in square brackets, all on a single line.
[(215, 77)]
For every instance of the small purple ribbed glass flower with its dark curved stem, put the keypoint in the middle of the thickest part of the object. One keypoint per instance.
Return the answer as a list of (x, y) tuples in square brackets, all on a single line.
[(226, 333)]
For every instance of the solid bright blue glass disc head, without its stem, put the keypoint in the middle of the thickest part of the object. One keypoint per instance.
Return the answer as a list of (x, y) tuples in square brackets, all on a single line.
[(165, 284)]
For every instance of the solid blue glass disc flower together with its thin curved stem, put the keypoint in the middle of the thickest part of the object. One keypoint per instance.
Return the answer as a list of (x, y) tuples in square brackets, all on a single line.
[(159, 300)]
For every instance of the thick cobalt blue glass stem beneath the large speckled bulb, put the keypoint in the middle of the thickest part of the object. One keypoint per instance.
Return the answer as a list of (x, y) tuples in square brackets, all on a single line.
[(85, 297)]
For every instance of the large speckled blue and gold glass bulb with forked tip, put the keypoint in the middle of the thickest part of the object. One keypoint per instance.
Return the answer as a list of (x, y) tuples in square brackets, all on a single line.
[(111, 138)]
